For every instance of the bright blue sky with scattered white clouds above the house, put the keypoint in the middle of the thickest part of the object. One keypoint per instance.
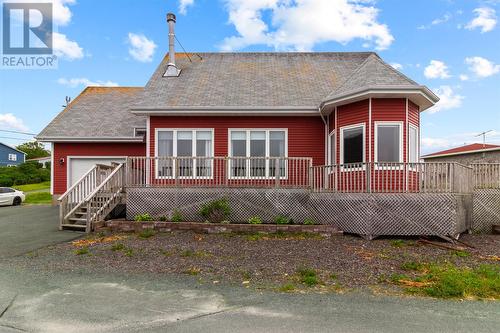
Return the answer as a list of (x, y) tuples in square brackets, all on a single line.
[(451, 46)]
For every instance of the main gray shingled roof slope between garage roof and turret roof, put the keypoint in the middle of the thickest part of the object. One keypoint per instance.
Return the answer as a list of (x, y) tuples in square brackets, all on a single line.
[(249, 80)]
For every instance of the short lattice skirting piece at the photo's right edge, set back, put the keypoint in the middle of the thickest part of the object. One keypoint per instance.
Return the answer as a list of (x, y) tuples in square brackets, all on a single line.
[(486, 209)]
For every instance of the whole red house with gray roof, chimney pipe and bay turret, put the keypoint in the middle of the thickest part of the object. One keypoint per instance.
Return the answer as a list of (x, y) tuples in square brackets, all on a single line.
[(247, 120)]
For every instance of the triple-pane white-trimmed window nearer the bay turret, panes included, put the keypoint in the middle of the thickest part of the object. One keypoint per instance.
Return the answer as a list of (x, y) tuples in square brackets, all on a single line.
[(253, 150)]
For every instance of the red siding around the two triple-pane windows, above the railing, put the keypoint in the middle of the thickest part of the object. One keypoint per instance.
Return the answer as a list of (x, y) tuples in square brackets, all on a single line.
[(306, 135)]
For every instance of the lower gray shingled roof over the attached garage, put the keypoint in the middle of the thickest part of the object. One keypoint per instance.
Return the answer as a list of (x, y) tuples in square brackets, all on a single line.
[(98, 112)]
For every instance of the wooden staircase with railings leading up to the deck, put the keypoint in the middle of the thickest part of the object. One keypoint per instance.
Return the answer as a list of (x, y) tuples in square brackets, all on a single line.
[(92, 198)]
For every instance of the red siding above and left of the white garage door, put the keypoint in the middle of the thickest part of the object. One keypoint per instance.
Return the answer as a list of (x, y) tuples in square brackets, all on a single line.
[(63, 150)]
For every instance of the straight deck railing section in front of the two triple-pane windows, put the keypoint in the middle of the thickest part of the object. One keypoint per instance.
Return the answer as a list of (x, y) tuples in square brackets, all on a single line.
[(289, 172)]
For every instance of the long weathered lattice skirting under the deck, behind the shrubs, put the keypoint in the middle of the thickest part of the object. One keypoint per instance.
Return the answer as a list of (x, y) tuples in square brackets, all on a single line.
[(365, 214)]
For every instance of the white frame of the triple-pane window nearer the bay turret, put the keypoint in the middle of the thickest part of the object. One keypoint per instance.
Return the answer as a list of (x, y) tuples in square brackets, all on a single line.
[(247, 147)]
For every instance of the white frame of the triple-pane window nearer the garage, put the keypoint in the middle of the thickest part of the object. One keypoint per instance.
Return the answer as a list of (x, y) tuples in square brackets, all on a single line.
[(174, 151)]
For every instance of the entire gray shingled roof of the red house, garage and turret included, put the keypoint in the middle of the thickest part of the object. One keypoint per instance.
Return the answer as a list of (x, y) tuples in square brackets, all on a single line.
[(226, 82)]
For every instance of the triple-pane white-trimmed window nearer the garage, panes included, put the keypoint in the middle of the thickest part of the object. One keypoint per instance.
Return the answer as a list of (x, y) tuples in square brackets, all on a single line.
[(184, 151)]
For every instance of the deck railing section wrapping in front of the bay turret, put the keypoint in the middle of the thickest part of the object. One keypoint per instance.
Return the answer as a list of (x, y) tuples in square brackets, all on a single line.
[(378, 177)]
